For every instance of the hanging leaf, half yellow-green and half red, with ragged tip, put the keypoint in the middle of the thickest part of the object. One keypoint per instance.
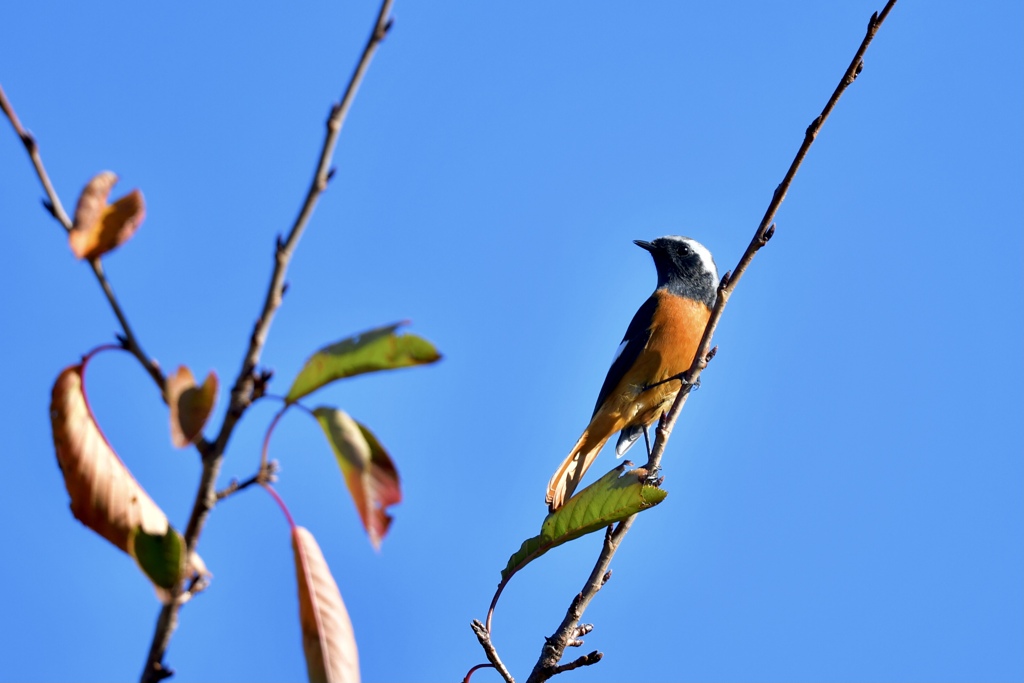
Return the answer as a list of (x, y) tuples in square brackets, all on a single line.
[(370, 475)]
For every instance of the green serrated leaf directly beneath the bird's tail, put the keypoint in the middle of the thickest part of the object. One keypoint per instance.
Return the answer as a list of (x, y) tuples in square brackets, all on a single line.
[(613, 498)]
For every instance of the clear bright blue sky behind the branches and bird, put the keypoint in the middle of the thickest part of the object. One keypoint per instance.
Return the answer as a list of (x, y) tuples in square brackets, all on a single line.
[(845, 491)]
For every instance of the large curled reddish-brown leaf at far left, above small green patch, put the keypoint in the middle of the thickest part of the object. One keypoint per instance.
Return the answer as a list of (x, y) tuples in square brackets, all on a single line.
[(105, 496)]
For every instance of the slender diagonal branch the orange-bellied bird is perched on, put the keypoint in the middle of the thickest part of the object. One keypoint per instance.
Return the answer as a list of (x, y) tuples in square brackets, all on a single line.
[(554, 648)]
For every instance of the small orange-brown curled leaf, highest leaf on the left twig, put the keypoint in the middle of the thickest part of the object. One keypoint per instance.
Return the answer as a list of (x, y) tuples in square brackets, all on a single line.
[(100, 227)]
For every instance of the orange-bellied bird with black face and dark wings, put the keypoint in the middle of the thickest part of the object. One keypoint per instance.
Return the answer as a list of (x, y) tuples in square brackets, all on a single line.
[(660, 344)]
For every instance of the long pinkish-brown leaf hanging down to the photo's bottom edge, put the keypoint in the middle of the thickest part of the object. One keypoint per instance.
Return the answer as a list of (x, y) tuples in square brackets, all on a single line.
[(328, 639)]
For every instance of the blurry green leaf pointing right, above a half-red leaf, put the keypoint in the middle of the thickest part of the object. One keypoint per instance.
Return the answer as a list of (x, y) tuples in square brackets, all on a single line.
[(367, 353)]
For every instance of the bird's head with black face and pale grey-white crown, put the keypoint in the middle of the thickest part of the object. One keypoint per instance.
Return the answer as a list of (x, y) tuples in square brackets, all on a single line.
[(685, 268)]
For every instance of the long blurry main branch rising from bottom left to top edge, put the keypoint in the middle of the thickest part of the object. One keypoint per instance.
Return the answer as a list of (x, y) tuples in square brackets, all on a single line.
[(245, 386)]
